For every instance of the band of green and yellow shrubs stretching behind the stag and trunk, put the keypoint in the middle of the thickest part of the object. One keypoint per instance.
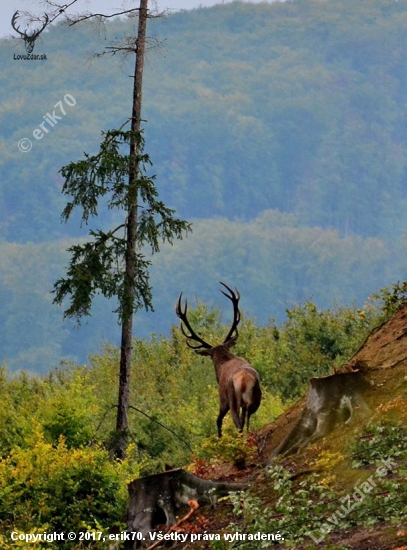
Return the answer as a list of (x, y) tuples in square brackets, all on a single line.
[(55, 470)]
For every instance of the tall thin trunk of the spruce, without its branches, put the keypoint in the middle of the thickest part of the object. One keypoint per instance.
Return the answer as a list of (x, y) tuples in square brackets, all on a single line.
[(129, 290)]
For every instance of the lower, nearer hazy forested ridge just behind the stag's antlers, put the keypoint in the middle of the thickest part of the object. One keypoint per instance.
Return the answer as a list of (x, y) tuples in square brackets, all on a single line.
[(275, 263)]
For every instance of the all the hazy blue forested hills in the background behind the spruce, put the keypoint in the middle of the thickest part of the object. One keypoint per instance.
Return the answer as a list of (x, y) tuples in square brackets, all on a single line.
[(279, 130)]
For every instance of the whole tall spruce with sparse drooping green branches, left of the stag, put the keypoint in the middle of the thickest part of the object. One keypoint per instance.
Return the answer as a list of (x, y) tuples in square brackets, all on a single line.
[(113, 262)]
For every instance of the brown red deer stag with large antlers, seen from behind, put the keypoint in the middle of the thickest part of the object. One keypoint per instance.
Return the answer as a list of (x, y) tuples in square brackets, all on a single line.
[(239, 383)]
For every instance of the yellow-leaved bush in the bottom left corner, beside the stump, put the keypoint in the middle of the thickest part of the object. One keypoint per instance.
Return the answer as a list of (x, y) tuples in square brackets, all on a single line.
[(57, 488)]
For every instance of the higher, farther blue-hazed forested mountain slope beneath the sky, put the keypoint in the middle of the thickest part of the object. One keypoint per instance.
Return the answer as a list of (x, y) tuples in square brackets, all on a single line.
[(296, 106)]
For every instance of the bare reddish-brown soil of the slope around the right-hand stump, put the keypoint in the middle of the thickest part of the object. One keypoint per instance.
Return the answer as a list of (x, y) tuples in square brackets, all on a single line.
[(382, 359)]
